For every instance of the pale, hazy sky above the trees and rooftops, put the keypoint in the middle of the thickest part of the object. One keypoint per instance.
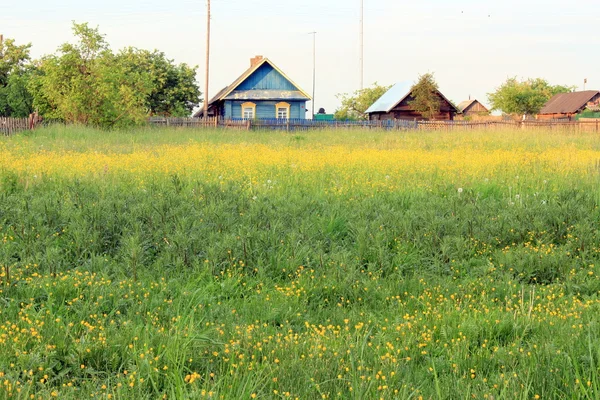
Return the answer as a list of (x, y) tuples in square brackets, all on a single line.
[(472, 47)]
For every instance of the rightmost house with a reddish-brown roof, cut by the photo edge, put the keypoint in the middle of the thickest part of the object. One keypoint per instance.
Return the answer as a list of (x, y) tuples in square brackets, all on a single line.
[(568, 105)]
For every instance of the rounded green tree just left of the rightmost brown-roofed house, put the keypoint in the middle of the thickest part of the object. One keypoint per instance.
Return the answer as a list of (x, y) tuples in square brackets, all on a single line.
[(524, 97)]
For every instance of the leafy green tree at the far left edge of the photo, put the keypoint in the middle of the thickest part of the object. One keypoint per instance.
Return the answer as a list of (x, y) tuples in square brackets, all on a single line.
[(15, 71)]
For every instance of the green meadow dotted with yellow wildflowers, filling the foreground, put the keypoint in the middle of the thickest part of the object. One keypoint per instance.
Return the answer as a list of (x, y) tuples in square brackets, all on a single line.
[(354, 265)]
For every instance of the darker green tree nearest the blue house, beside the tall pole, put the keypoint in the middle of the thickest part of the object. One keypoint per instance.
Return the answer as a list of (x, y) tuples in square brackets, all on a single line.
[(174, 88)]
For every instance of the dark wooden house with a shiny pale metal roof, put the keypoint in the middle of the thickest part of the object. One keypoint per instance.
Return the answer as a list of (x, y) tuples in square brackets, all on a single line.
[(395, 104)]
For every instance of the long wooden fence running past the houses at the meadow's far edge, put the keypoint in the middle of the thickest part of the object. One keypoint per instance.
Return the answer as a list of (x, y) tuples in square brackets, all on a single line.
[(293, 125)]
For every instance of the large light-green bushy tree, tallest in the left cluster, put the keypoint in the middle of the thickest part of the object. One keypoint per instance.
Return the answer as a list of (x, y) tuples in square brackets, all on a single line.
[(86, 83)]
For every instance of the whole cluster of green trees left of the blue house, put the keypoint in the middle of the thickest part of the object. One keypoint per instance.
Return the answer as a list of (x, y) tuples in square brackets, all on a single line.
[(87, 82)]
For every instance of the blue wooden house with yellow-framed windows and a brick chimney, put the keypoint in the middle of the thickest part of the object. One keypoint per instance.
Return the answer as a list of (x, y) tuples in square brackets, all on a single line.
[(262, 92)]
